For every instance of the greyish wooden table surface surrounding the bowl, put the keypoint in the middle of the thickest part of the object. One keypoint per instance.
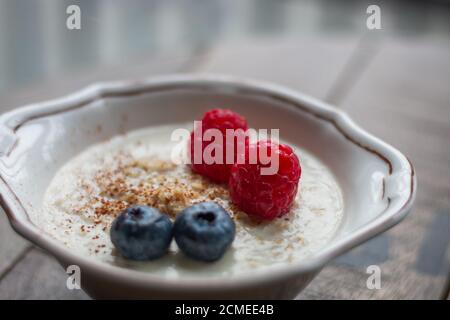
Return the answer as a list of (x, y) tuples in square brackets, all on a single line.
[(397, 88)]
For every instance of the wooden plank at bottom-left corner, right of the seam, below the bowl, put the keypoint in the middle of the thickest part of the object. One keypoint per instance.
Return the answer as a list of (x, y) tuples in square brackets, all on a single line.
[(38, 276)]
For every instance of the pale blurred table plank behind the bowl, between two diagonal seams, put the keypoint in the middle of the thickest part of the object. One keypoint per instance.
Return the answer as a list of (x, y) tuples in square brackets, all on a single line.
[(310, 65)]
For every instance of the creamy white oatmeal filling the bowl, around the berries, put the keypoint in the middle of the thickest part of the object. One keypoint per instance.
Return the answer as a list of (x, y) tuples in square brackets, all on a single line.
[(93, 188)]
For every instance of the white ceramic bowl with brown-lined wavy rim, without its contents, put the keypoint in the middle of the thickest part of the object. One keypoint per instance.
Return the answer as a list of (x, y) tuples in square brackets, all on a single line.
[(377, 181)]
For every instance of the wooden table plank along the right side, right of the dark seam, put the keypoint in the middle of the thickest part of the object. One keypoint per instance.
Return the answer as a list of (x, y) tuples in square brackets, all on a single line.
[(403, 98)]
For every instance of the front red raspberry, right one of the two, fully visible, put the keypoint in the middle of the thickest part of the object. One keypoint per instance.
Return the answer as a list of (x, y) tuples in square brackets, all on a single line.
[(265, 196)]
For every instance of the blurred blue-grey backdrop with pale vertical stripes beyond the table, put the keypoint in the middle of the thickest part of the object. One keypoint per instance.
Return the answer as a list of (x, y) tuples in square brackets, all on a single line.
[(157, 36)]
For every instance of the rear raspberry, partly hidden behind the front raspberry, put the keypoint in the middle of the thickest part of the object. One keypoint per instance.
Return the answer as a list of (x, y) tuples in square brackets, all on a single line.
[(220, 119)]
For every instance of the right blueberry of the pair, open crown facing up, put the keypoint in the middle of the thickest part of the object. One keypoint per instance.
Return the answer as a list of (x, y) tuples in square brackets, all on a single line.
[(204, 231)]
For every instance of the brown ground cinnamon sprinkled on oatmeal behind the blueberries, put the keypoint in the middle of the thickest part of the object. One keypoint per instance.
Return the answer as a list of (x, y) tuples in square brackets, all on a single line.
[(150, 181)]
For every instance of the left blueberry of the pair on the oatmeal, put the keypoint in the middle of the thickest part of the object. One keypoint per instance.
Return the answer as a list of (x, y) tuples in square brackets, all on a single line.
[(141, 233)]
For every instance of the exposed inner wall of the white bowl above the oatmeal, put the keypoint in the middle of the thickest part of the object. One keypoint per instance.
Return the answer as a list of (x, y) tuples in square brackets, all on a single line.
[(47, 142)]
